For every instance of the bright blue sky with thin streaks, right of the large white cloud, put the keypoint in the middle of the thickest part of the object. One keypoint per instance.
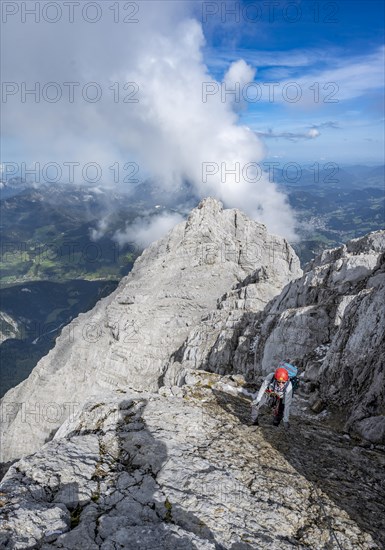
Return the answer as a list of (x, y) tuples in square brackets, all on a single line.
[(331, 51)]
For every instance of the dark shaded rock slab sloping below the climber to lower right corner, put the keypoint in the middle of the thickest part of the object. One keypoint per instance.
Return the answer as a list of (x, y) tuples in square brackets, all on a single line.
[(352, 476)]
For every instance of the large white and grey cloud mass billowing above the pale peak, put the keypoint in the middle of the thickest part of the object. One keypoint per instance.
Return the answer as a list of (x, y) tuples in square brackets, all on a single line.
[(171, 133)]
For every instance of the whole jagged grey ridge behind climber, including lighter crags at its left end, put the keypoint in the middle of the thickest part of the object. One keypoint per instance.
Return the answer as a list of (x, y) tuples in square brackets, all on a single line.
[(330, 322)]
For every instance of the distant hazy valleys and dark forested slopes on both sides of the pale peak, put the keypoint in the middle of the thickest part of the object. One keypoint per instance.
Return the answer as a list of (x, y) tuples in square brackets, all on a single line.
[(48, 240)]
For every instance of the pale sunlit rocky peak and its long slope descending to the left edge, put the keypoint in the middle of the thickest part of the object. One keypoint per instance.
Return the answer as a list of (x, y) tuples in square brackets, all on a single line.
[(127, 340)]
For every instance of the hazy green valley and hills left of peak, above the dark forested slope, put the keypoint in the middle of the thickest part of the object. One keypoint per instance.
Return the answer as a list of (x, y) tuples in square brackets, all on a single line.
[(48, 232)]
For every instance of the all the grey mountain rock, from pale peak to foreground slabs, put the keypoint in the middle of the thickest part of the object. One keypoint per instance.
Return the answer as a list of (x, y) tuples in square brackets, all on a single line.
[(136, 448)]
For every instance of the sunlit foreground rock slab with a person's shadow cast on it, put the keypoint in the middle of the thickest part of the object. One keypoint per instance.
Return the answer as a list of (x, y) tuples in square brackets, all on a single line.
[(177, 469)]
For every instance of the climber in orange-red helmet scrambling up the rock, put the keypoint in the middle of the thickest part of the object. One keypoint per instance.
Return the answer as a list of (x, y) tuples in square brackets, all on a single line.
[(277, 391)]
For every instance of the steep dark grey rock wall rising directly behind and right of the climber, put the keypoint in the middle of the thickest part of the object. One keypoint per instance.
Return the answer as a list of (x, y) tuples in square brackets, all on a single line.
[(331, 322)]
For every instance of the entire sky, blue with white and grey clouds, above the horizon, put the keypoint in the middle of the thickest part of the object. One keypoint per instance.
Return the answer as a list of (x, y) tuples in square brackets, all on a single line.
[(310, 84)]
